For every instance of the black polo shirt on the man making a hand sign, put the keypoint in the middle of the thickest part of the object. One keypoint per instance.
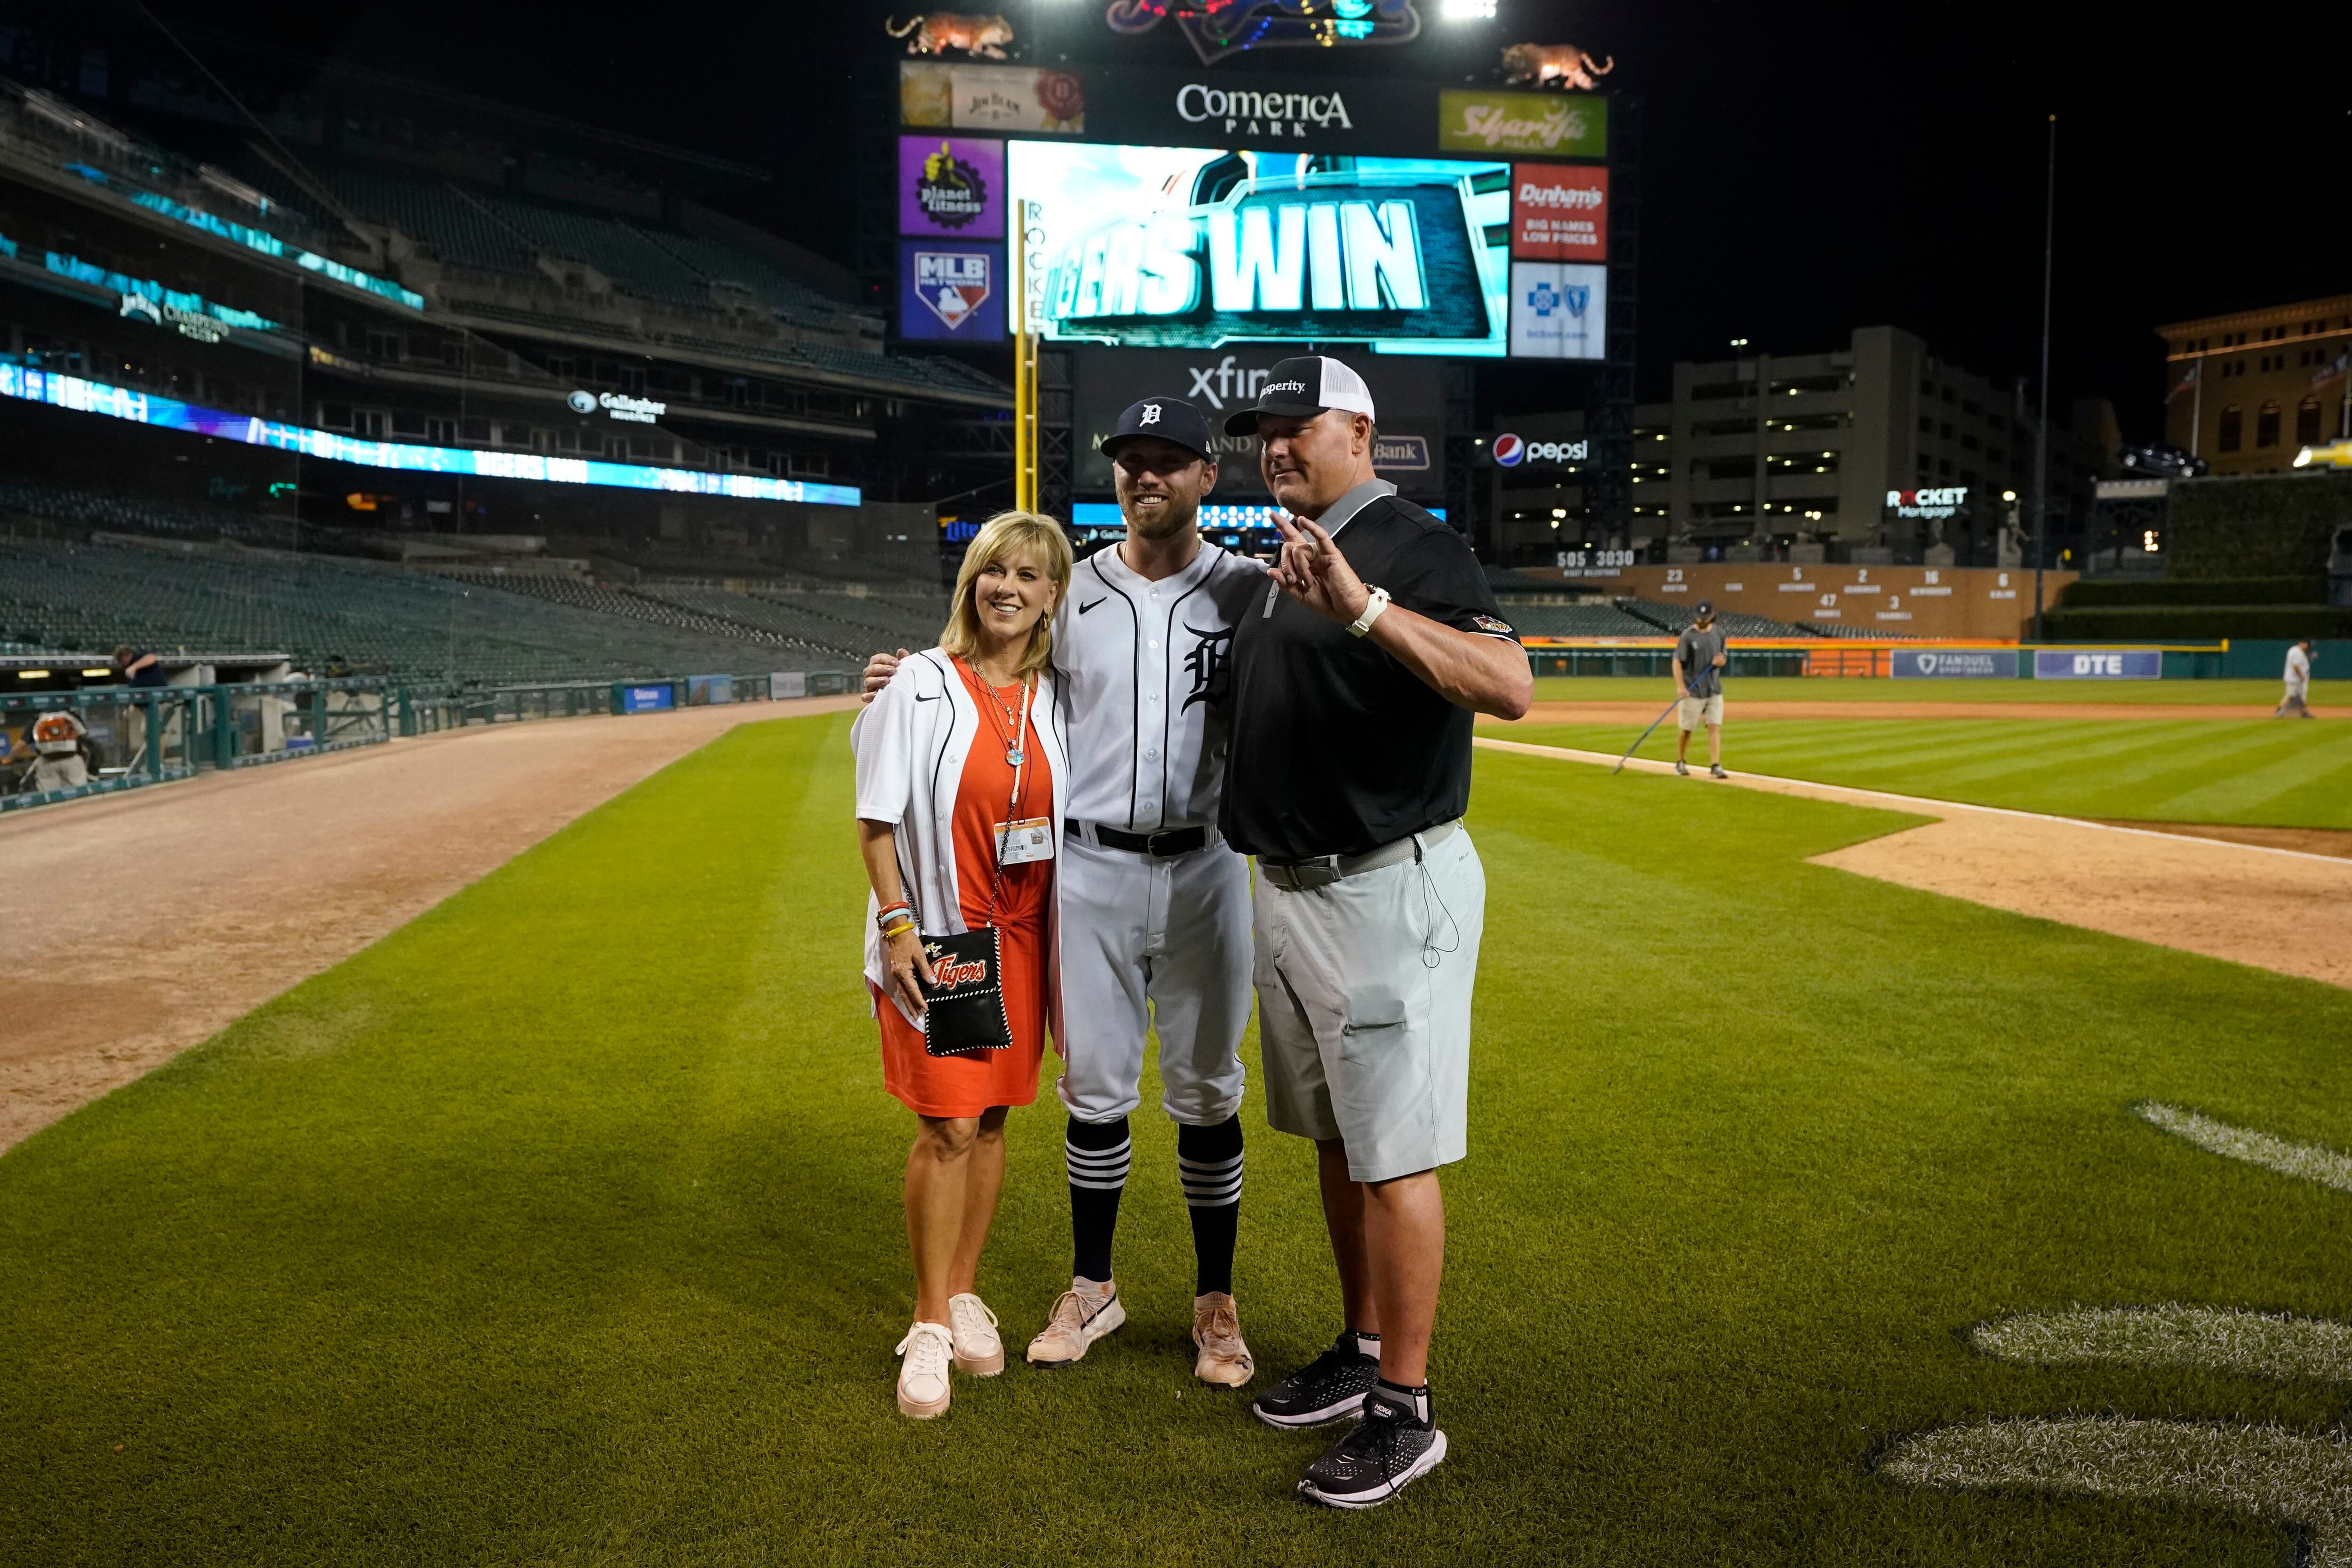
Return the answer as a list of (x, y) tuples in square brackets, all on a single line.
[(1337, 746)]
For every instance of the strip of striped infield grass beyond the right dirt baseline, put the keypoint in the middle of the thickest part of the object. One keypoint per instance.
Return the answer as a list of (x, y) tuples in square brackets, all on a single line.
[(2257, 772)]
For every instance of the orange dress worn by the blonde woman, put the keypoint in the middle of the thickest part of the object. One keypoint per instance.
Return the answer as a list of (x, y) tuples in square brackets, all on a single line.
[(968, 1085)]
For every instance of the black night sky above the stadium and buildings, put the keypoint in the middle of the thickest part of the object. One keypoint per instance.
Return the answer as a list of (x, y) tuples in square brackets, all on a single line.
[(1808, 168)]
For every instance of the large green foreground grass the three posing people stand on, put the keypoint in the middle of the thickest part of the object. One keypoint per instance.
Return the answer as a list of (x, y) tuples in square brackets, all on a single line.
[(563, 1228)]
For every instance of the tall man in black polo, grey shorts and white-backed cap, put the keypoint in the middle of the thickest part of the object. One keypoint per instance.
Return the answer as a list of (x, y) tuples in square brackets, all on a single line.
[(1347, 777)]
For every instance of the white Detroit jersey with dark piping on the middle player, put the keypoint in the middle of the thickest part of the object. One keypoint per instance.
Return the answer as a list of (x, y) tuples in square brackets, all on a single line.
[(1144, 669)]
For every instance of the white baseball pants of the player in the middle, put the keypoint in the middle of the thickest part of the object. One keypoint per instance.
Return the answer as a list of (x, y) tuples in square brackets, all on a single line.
[(1154, 944)]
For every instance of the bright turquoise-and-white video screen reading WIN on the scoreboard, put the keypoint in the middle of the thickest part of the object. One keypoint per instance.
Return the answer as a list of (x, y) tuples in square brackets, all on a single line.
[(1182, 248)]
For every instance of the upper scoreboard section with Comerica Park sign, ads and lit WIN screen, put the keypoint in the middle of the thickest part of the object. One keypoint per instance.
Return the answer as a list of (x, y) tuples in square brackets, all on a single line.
[(1175, 210)]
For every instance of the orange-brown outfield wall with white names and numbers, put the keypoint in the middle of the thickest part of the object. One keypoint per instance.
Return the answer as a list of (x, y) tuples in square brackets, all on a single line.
[(1960, 603)]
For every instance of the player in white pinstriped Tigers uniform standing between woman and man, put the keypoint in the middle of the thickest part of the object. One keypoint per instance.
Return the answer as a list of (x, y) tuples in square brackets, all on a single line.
[(1154, 902)]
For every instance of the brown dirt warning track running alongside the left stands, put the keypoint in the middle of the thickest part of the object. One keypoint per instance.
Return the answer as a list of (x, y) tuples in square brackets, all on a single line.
[(166, 913)]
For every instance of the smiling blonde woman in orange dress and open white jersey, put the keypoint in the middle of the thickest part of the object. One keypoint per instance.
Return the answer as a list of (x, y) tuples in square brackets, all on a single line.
[(961, 803)]
